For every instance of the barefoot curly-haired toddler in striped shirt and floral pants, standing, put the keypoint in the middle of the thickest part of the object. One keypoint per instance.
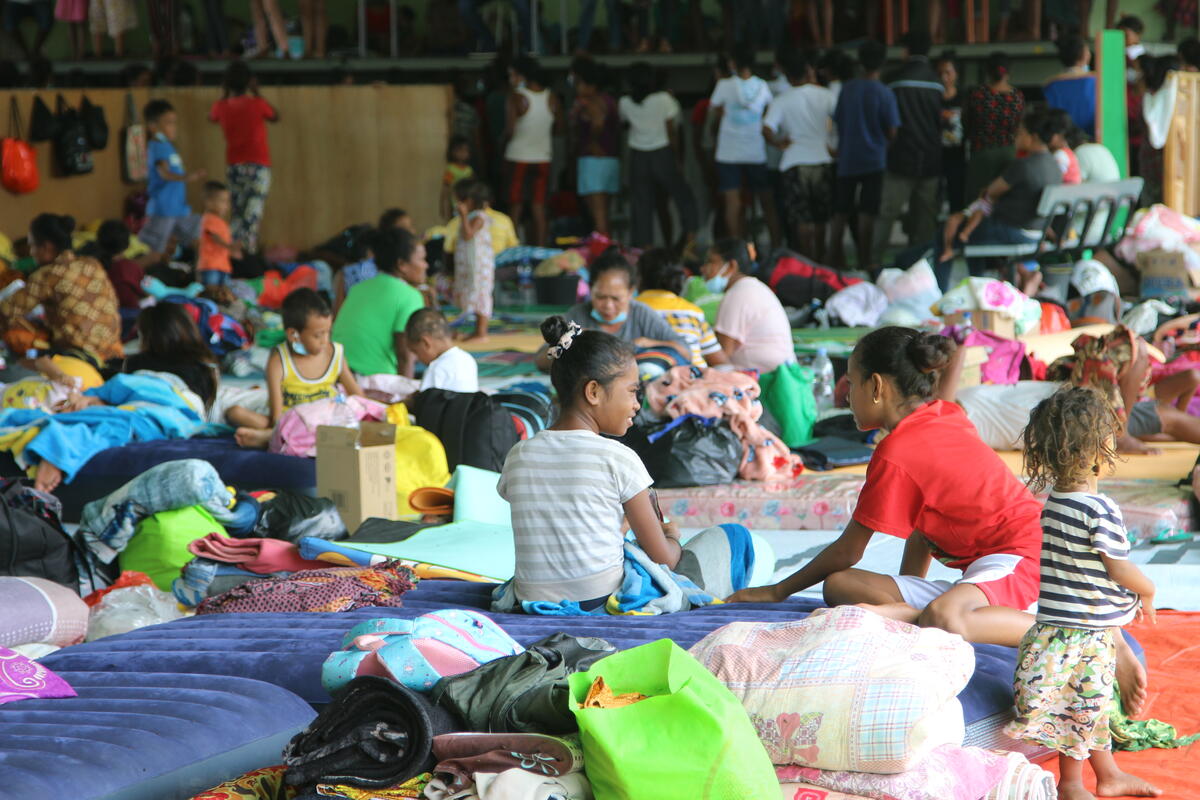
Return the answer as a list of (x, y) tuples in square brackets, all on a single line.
[(1090, 590)]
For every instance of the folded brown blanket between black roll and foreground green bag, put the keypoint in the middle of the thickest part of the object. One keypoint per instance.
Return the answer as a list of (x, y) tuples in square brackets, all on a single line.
[(463, 755)]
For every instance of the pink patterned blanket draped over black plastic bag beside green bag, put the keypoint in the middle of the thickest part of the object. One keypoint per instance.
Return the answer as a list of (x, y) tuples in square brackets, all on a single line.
[(731, 396)]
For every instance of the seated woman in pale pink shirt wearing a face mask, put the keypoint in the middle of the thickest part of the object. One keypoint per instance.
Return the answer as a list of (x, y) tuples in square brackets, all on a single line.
[(752, 324)]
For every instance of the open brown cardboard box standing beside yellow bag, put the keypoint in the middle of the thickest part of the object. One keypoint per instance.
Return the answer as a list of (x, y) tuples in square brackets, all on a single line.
[(357, 471)]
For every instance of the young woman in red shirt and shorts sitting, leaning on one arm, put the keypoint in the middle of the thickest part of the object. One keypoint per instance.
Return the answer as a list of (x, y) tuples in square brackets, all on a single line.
[(934, 483)]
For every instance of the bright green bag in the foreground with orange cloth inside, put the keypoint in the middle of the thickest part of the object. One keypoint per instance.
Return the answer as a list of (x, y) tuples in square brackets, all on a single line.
[(691, 741)]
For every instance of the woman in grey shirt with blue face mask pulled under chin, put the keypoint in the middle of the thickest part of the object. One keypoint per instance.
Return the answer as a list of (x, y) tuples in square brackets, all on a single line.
[(614, 310)]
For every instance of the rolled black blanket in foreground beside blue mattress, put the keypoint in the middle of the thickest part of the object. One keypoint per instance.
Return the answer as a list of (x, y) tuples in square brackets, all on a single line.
[(375, 735)]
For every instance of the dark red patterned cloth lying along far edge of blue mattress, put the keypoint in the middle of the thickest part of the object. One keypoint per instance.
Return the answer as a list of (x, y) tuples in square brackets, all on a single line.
[(337, 590)]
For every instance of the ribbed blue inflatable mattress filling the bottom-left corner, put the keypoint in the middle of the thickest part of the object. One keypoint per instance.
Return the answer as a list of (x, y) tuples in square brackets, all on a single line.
[(133, 736)]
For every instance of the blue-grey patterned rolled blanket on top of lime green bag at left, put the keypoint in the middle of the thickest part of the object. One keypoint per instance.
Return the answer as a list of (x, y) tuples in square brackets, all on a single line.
[(109, 525)]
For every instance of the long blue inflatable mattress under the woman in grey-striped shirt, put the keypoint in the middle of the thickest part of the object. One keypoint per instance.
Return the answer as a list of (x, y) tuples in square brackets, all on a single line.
[(290, 649)]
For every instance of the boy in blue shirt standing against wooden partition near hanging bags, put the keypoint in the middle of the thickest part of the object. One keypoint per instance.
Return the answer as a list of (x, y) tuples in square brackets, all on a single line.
[(169, 216)]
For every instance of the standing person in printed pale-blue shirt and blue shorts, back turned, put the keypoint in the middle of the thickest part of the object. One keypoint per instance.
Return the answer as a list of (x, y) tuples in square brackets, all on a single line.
[(737, 107)]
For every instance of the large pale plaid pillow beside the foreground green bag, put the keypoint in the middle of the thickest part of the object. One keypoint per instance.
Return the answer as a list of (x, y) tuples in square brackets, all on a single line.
[(844, 689)]
